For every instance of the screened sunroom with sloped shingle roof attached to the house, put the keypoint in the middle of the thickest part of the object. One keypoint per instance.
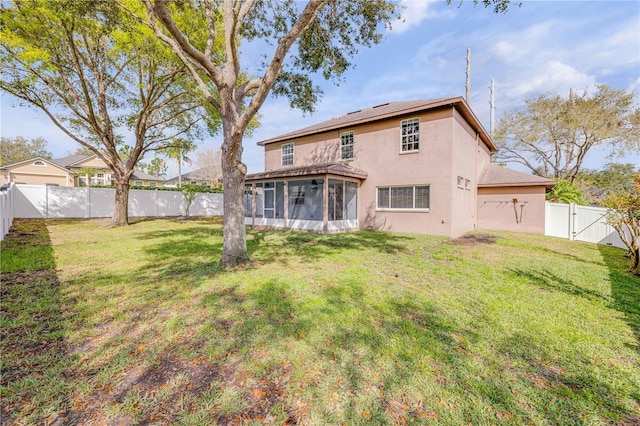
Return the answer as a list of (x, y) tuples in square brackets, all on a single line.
[(321, 198)]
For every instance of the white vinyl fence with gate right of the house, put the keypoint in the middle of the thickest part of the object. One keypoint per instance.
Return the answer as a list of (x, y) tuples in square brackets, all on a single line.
[(580, 223)]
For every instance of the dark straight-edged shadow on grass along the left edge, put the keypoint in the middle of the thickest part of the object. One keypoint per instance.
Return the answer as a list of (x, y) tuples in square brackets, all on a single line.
[(34, 356)]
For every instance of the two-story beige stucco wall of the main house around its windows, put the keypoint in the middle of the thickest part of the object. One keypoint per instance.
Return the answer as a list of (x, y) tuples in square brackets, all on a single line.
[(448, 148)]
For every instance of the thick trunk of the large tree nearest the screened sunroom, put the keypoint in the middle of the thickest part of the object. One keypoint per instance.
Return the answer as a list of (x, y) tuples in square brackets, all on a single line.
[(233, 172)]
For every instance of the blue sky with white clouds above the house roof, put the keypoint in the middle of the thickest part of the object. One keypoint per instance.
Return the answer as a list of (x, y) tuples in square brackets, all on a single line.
[(542, 46)]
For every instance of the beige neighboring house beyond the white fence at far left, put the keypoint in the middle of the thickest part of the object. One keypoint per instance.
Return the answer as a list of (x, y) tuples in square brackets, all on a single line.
[(68, 171)]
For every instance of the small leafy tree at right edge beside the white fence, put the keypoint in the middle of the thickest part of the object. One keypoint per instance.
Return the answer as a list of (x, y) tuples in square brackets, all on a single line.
[(624, 216)]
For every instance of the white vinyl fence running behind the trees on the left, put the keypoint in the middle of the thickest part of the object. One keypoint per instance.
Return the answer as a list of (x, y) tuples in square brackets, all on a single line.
[(41, 201)]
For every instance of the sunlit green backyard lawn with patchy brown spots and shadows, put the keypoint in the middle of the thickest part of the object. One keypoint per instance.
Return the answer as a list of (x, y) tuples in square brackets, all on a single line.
[(139, 325)]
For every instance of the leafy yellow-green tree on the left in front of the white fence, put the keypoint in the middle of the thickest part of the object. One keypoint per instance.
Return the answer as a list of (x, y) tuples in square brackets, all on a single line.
[(99, 75)]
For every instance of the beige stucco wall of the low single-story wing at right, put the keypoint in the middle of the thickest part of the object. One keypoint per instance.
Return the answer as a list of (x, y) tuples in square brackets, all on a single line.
[(496, 210)]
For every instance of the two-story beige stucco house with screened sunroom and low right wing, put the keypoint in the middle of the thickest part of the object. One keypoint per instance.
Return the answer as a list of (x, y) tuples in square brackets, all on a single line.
[(417, 166)]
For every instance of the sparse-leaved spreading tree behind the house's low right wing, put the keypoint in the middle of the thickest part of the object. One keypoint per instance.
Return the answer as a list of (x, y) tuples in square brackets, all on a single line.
[(554, 134)]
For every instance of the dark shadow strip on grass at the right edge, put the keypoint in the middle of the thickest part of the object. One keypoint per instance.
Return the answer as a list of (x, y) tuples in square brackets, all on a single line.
[(625, 288)]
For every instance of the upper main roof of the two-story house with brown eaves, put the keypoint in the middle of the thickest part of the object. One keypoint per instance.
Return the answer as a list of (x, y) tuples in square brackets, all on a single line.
[(389, 110)]
